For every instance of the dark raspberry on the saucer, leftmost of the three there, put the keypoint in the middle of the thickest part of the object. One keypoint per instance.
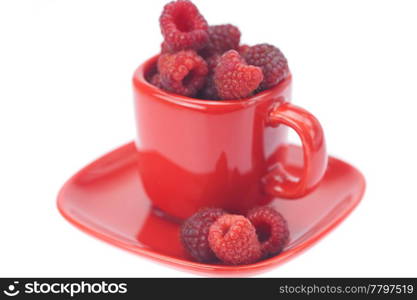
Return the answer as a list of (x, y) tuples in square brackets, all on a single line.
[(194, 233)]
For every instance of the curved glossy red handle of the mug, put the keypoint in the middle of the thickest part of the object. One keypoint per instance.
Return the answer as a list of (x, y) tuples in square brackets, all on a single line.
[(311, 134)]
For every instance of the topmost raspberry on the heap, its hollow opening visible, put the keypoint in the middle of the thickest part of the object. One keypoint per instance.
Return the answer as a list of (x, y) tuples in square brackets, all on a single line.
[(183, 27)]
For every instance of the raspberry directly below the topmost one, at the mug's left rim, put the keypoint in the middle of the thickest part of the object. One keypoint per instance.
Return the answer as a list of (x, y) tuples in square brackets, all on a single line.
[(183, 72)]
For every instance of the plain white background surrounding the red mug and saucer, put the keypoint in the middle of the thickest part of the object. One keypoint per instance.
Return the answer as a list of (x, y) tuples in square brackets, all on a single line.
[(65, 99)]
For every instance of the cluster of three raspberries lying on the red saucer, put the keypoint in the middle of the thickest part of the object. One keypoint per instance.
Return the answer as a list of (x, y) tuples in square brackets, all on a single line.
[(212, 234)]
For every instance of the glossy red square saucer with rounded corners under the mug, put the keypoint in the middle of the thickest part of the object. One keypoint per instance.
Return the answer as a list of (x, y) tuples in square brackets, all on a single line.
[(106, 200)]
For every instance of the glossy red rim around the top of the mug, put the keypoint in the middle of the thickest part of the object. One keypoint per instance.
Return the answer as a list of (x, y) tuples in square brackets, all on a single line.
[(139, 81)]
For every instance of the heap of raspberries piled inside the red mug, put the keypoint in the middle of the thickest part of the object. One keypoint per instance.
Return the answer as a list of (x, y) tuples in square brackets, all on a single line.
[(208, 62)]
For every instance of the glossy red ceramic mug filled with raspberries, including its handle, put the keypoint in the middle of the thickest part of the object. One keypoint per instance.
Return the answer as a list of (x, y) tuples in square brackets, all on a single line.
[(198, 153)]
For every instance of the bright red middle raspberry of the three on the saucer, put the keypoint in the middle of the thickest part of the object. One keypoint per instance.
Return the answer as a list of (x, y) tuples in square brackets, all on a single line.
[(233, 239)]
